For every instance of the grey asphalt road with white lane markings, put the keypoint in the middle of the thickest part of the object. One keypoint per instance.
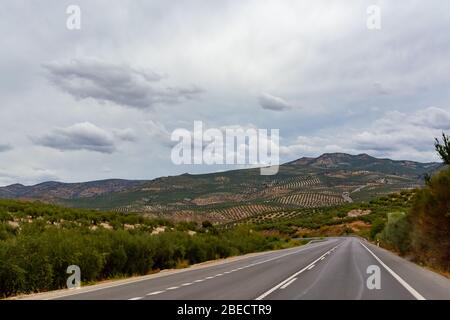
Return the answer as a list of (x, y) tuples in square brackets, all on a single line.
[(332, 269)]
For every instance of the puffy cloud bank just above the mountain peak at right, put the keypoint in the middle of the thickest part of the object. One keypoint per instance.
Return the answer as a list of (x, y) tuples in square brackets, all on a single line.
[(397, 135)]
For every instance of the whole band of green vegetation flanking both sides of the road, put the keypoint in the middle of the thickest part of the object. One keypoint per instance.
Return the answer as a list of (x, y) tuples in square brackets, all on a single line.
[(39, 241)]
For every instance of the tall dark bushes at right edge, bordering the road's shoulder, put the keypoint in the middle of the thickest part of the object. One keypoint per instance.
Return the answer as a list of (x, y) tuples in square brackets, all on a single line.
[(423, 233)]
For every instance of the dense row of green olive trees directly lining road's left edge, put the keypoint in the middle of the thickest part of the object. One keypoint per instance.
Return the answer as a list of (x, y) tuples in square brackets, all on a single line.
[(36, 258)]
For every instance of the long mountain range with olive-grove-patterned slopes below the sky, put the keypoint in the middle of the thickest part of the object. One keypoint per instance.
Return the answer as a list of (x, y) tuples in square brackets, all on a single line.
[(328, 180)]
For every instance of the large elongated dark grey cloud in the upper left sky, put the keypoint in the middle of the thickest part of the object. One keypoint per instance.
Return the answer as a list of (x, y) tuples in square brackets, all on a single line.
[(119, 84)]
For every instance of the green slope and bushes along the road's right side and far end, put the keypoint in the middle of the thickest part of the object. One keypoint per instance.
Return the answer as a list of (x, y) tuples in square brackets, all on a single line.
[(414, 223)]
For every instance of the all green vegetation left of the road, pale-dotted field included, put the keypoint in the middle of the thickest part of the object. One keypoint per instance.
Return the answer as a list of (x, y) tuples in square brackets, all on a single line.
[(39, 241)]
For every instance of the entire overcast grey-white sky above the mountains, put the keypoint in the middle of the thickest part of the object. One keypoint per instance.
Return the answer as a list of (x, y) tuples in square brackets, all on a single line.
[(102, 101)]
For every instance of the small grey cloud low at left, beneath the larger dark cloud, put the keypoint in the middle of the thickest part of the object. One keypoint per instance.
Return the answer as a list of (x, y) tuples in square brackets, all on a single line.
[(80, 136)]
